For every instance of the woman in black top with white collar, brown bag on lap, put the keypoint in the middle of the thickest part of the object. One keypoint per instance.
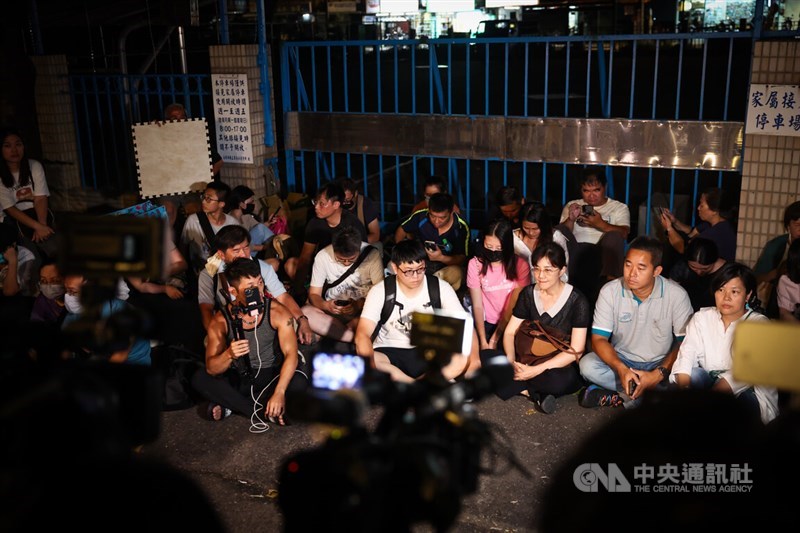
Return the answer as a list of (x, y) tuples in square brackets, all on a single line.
[(558, 305)]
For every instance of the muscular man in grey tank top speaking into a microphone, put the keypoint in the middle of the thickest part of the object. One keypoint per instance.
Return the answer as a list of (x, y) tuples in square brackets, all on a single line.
[(255, 371)]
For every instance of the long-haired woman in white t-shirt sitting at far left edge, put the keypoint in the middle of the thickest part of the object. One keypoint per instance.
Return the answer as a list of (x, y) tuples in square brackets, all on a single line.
[(24, 193)]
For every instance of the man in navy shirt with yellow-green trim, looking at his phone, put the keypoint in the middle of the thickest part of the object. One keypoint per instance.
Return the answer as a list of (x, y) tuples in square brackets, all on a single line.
[(445, 236)]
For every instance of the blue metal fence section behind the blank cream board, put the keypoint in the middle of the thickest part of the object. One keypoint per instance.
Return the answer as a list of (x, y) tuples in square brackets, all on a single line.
[(106, 106)]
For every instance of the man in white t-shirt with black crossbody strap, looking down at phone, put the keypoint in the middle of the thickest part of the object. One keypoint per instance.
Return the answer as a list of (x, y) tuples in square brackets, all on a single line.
[(334, 301)]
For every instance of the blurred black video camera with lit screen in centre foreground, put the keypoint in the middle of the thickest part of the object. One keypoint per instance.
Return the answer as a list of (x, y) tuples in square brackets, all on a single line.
[(421, 458)]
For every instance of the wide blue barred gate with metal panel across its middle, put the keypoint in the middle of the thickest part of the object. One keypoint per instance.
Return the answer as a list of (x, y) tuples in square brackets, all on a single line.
[(675, 77)]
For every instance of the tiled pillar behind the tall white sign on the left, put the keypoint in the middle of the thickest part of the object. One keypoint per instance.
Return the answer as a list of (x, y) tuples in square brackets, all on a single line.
[(243, 59)]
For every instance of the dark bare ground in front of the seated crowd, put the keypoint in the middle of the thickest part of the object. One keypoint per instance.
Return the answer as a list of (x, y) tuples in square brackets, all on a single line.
[(239, 470)]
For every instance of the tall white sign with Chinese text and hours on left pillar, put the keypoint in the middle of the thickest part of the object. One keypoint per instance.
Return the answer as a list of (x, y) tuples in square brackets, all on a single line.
[(232, 117)]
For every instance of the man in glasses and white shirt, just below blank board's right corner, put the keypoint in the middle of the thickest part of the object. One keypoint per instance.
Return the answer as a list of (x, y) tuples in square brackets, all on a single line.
[(195, 246)]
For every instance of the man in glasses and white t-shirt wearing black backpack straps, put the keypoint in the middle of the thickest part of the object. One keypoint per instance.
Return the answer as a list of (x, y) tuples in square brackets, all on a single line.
[(386, 317)]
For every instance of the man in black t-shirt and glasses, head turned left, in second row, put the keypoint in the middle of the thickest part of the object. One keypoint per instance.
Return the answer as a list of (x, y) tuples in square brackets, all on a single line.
[(319, 231)]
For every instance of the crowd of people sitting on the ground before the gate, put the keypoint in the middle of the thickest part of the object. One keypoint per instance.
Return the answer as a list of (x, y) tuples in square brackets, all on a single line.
[(574, 306)]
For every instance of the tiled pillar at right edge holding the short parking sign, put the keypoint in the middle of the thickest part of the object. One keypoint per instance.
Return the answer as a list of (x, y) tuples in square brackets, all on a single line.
[(771, 169)]
